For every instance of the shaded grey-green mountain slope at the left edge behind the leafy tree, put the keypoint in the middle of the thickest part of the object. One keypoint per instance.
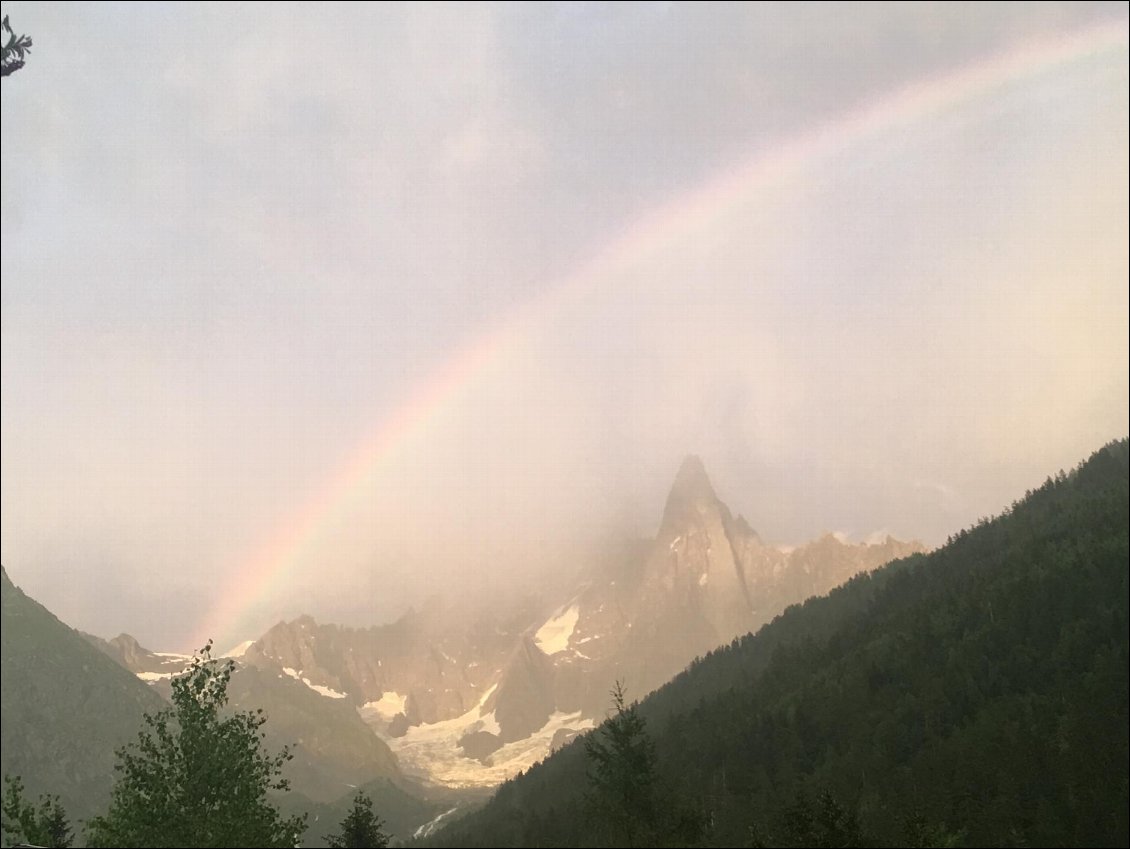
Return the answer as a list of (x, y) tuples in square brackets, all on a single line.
[(66, 707)]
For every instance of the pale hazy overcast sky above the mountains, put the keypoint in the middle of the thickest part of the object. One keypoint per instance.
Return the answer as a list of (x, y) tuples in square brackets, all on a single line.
[(238, 241)]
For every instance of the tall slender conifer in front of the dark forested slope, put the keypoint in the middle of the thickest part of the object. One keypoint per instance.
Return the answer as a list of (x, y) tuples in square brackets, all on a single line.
[(622, 774)]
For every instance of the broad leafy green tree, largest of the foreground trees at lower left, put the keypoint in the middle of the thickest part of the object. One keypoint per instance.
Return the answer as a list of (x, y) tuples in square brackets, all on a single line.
[(198, 777)]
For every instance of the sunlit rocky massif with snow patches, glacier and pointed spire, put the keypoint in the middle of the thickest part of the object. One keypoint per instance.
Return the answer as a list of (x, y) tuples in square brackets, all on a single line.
[(474, 698)]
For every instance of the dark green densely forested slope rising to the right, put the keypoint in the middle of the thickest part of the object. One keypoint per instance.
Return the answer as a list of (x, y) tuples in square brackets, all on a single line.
[(977, 696)]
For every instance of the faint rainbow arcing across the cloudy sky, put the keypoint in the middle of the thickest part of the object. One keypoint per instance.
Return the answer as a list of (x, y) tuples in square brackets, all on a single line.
[(673, 223)]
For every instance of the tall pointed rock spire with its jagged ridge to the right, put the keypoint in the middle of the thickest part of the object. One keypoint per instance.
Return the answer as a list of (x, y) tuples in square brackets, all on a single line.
[(705, 581)]
